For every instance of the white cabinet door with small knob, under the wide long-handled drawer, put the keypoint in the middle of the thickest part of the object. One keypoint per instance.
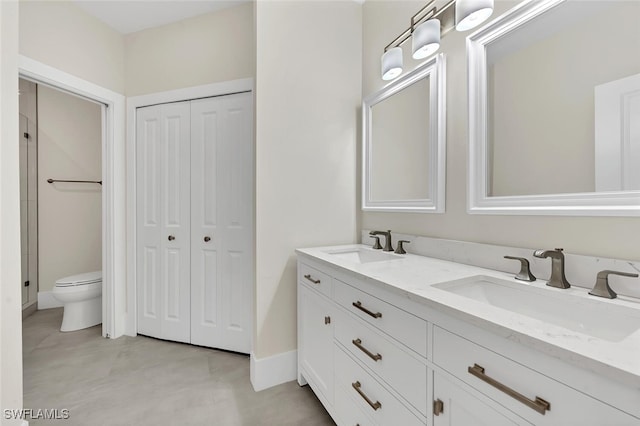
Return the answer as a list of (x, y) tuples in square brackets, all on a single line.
[(462, 408)]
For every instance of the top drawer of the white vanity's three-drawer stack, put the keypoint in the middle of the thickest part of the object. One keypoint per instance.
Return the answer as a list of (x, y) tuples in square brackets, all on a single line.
[(402, 326)]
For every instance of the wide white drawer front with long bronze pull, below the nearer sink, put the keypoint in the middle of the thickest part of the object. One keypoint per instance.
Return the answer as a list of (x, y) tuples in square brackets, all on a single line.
[(512, 385)]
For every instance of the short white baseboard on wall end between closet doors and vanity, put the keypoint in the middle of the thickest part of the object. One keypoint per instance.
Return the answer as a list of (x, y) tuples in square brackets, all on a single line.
[(273, 370)]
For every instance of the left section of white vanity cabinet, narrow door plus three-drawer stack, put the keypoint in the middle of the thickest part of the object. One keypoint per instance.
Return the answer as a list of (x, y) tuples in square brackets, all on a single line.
[(367, 364)]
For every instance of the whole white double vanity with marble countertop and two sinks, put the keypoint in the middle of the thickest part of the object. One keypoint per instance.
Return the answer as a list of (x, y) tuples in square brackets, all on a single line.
[(388, 339)]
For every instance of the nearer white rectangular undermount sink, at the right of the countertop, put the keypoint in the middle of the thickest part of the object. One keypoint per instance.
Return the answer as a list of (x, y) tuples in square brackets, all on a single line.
[(603, 320)]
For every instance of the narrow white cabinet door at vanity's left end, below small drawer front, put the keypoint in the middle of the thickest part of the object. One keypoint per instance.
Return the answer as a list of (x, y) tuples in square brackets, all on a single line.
[(316, 341)]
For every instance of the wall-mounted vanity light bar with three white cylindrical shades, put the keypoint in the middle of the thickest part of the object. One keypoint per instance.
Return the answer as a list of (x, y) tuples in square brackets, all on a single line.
[(428, 26)]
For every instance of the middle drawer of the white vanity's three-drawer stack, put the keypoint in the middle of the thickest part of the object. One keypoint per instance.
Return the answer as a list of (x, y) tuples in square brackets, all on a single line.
[(406, 374)]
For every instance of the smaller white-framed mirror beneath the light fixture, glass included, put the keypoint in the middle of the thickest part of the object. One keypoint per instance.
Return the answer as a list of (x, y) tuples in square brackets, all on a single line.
[(404, 143)]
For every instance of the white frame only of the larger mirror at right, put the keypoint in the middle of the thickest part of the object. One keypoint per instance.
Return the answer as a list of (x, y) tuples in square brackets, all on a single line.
[(618, 203)]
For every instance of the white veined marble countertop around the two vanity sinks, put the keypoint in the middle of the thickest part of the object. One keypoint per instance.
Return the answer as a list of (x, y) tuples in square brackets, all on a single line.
[(414, 277)]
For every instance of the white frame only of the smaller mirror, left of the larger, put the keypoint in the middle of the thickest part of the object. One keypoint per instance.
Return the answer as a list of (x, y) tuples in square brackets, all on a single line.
[(435, 70)]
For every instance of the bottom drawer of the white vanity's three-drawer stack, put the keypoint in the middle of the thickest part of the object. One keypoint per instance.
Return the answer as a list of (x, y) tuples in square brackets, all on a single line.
[(369, 395)]
